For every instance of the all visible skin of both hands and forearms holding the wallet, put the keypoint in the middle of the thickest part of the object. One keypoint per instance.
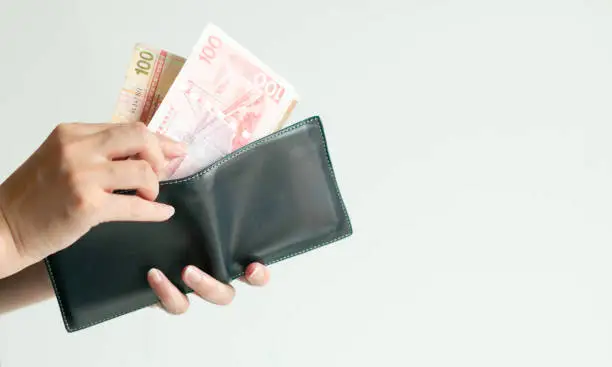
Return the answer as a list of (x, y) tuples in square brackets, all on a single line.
[(66, 187)]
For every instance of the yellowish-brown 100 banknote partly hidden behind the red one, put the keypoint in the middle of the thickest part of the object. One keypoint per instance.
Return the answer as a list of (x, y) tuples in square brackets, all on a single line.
[(149, 76)]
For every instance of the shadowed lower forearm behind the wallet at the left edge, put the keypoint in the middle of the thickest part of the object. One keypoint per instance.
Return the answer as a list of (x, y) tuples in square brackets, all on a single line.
[(29, 286)]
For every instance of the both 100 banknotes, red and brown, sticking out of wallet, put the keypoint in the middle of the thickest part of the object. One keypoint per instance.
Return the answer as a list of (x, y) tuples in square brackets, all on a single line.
[(217, 100)]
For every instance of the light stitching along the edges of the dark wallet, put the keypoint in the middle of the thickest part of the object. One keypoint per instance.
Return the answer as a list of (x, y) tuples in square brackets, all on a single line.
[(314, 119)]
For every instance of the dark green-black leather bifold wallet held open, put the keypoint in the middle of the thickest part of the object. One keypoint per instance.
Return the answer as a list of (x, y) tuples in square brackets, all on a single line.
[(267, 201)]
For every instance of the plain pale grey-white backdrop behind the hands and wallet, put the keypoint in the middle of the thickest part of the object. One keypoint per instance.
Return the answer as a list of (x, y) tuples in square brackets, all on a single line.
[(471, 140)]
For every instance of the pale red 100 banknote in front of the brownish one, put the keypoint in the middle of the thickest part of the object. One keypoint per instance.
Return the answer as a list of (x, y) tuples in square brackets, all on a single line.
[(222, 99)]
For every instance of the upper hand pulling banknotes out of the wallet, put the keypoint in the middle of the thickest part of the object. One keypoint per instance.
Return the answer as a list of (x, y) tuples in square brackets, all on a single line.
[(66, 187)]
